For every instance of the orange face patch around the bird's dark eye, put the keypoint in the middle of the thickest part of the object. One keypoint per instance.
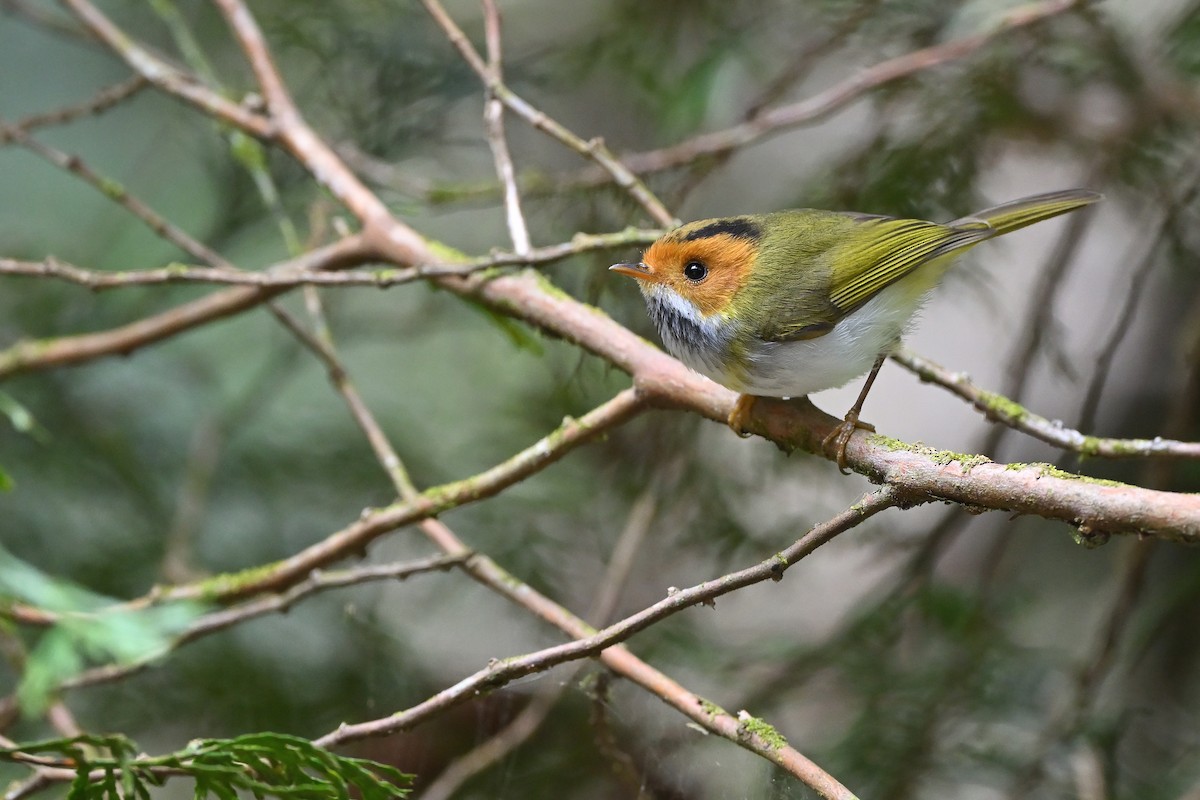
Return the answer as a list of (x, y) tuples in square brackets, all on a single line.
[(727, 258)]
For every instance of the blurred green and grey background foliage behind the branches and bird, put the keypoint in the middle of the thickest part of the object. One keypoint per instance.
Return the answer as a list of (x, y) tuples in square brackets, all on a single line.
[(928, 654)]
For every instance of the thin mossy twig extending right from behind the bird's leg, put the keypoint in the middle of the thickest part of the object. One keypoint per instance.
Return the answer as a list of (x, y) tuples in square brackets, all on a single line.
[(1007, 412)]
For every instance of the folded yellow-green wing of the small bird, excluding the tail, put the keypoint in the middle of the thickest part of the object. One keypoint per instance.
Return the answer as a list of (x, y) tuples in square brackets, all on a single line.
[(877, 254)]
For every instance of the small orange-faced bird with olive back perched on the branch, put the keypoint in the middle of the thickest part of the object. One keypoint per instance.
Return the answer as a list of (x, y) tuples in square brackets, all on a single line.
[(793, 303)]
